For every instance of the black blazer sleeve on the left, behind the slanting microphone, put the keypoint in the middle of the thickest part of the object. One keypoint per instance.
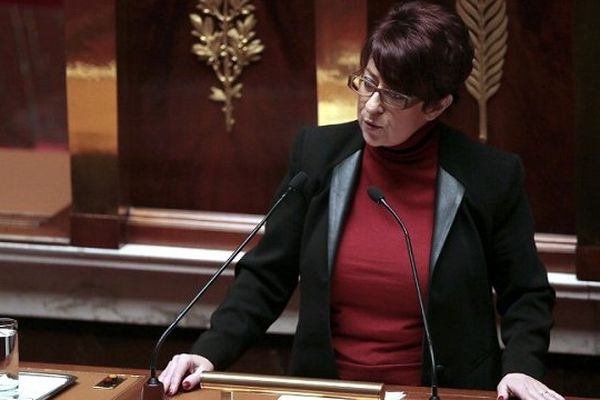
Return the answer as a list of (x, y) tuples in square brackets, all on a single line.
[(265, 279)]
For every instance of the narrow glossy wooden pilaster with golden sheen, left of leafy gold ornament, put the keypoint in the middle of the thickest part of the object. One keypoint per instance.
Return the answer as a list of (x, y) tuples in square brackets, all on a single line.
[(90, 48)]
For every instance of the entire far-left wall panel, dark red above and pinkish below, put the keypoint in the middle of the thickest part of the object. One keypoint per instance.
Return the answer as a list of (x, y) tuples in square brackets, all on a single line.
[(35, 189)]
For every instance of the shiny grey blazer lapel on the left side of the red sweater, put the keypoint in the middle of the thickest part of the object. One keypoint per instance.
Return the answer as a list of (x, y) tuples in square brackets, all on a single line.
[(342, 182)]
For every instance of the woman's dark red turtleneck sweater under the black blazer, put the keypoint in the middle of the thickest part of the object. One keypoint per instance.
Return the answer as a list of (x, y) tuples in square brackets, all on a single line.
[(376, 322)]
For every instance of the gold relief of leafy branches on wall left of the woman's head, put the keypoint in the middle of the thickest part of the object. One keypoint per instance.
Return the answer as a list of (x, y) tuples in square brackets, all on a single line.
[(227, 43)]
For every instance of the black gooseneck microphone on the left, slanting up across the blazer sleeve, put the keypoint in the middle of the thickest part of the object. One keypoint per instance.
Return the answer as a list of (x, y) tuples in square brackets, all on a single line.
[(154, 389)]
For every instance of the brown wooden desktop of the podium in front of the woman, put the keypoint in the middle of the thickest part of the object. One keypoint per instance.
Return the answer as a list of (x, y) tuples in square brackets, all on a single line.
[(130, 389)]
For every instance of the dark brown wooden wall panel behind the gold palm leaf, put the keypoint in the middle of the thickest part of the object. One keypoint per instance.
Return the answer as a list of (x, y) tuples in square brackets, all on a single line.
[(532, 113)]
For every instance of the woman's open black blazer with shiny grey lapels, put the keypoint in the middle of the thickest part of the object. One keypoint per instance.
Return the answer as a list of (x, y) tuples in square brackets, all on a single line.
[(483, 240)]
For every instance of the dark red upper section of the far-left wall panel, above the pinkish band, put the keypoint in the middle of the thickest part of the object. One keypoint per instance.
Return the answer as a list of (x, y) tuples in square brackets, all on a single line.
[(32, 81)]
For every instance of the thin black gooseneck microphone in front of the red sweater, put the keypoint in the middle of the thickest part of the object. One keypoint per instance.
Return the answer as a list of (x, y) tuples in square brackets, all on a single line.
[(376, 195)]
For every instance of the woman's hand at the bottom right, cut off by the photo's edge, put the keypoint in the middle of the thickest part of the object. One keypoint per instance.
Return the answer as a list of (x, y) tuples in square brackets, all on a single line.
[(525, 387)]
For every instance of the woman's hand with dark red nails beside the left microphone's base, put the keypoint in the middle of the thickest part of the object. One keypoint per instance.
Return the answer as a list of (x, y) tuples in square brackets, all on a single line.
[(184, 369)]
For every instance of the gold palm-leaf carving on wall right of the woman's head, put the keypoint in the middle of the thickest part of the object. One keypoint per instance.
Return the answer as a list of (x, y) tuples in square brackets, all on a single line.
[(487, 23)]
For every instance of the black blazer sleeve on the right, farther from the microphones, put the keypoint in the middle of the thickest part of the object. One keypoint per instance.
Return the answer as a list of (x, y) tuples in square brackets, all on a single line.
[(524, 297)]
